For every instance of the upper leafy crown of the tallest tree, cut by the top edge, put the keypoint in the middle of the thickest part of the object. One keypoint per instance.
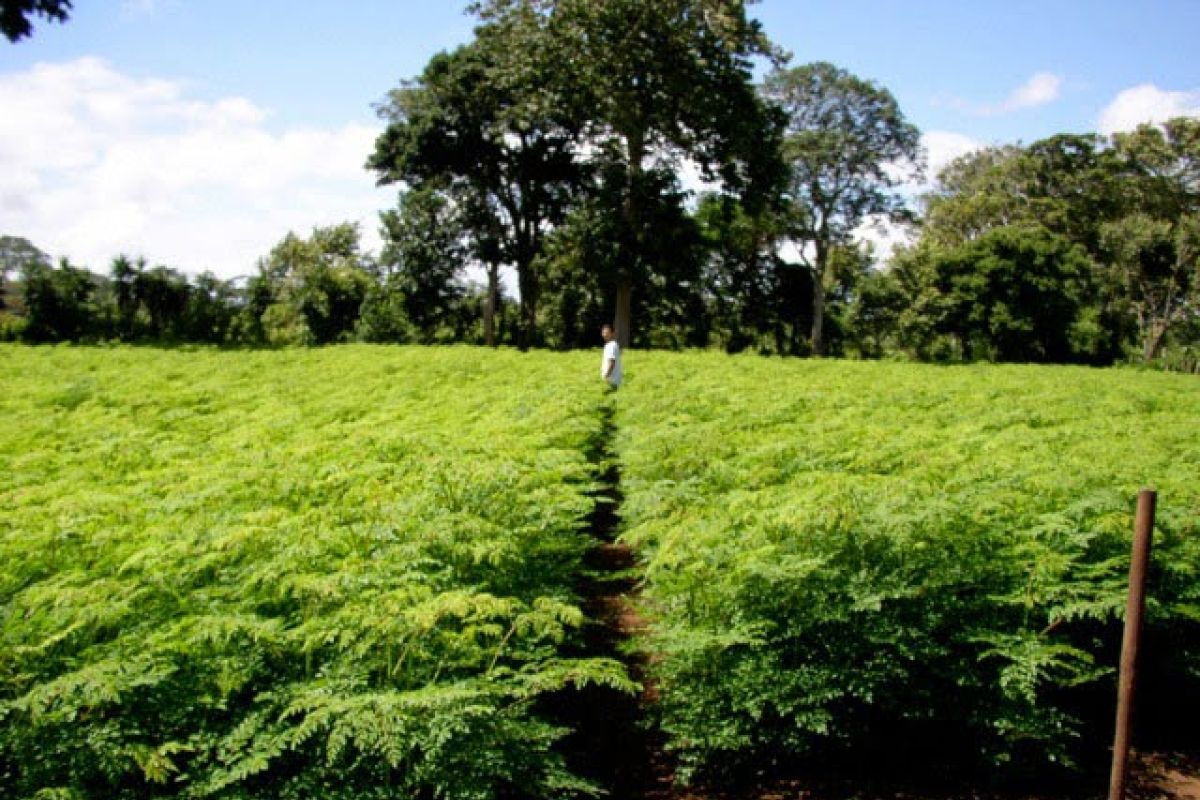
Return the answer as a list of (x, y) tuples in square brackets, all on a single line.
[(692, 91)]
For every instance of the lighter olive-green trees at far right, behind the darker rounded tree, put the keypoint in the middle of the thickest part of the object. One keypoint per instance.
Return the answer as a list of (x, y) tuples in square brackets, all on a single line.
[(1130, 202)]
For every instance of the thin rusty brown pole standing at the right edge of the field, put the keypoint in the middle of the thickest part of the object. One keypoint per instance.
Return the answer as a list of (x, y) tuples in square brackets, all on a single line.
[(1143, 533)]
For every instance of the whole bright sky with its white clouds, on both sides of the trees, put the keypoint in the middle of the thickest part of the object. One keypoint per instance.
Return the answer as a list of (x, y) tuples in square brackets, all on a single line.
[(197, 134)]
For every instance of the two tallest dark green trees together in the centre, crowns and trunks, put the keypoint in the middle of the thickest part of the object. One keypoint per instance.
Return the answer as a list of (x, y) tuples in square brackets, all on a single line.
[(560, 105)]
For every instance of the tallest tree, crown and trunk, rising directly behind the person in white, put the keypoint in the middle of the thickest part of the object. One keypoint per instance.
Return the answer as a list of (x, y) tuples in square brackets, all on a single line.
[(655, 83)]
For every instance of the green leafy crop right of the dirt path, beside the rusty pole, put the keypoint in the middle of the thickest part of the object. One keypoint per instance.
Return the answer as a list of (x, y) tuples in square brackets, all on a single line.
[(869, 555)]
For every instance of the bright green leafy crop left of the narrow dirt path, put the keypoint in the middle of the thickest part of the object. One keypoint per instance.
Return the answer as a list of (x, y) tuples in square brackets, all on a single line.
[(337, 574)]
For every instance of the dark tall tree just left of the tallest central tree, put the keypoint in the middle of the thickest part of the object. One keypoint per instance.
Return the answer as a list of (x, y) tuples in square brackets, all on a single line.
[(481, 127)]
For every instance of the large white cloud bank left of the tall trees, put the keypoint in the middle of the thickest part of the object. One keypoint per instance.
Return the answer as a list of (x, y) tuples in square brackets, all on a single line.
[(94, 164)]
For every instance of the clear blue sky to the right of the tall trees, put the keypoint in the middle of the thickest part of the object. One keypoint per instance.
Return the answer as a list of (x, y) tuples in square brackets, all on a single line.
[(946, 62)]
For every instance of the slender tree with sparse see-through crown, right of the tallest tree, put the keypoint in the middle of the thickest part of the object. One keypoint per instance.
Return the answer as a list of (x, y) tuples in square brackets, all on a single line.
[(848, 148)]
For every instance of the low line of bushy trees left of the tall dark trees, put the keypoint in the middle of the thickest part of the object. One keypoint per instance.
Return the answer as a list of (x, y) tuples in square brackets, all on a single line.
[(321, 290)]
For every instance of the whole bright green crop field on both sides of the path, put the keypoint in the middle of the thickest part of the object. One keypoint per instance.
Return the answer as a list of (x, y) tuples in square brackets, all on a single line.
[(351, 573)]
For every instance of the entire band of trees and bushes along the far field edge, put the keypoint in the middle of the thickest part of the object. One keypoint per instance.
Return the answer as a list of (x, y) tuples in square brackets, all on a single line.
[(554, 146)]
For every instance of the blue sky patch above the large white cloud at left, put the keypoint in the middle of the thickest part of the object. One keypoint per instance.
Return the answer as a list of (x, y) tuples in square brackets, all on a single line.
[(309, 63)]
